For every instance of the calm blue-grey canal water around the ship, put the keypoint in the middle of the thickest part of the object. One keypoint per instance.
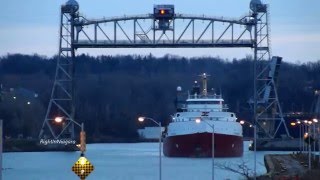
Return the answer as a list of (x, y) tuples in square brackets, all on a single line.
[(126, 161)]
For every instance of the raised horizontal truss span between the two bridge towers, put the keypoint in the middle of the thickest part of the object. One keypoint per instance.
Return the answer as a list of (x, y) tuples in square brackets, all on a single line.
[(146, 31)]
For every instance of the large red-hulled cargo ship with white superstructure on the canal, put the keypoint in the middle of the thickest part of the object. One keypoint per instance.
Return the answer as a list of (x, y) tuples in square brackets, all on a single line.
[(199, 117)]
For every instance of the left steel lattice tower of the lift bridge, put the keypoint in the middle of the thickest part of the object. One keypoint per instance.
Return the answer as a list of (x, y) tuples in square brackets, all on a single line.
[(62, 101)]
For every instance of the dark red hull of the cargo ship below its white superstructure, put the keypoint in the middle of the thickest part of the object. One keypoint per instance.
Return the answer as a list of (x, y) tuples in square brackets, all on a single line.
[(200, 145)]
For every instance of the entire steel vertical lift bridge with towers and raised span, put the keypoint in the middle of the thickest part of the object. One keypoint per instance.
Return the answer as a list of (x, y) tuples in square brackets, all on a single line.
[(164, 28)]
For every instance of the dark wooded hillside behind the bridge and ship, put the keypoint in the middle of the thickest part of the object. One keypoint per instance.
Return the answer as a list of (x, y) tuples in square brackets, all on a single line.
[(111, 92)]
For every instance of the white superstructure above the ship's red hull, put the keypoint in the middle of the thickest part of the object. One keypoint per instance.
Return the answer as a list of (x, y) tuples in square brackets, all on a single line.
[(209, 108)]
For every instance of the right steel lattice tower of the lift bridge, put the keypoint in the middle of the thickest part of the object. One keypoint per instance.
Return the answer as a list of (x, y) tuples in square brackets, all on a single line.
[(268, 114)]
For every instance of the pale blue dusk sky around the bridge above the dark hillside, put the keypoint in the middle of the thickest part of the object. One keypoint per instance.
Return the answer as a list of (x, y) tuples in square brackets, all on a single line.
[(32, 26)]
